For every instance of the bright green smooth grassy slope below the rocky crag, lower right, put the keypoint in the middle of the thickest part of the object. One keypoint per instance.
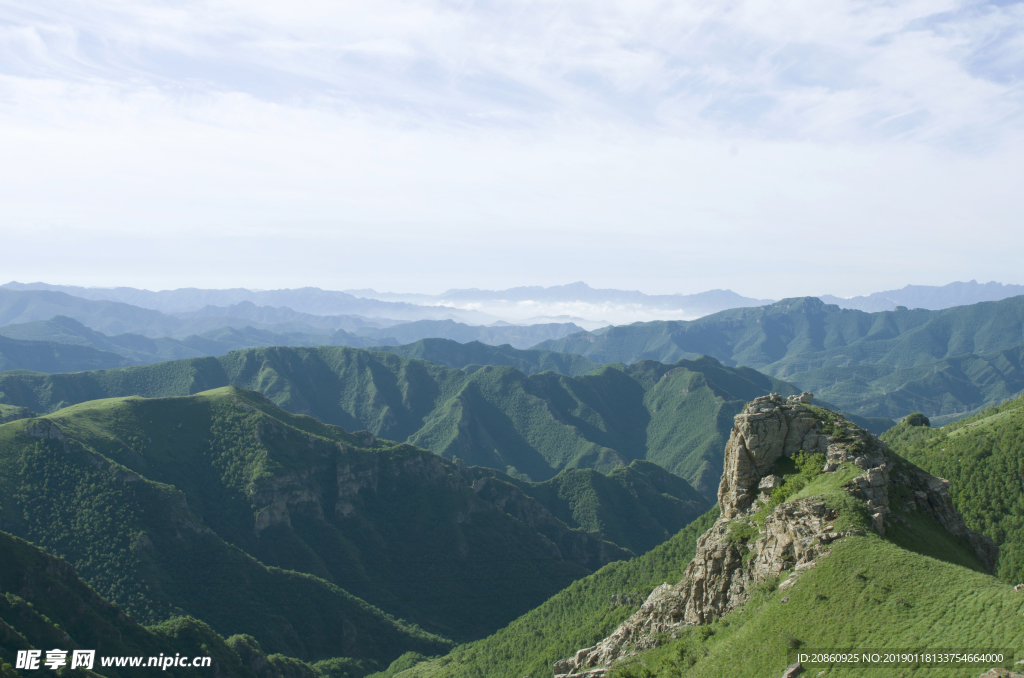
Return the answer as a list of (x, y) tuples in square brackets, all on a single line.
[(870, 594)]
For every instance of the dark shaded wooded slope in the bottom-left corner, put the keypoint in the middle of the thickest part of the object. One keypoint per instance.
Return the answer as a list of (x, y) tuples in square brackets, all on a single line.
[(46, 606)]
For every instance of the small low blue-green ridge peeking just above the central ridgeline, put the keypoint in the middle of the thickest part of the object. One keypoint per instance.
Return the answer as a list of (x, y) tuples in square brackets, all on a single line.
[(468, 356)]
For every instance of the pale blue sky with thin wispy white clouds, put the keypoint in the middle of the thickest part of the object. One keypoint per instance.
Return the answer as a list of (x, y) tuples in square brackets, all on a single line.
[(774, 149)]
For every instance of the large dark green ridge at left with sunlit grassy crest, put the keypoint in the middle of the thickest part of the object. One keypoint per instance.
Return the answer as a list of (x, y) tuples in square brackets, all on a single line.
[(305, 533)]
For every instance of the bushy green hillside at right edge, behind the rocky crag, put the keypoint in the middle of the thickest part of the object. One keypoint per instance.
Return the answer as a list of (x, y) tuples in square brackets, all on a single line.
[(983, 457)]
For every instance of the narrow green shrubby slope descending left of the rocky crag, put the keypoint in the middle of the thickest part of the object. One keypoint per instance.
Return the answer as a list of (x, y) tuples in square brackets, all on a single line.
[(582, 615)]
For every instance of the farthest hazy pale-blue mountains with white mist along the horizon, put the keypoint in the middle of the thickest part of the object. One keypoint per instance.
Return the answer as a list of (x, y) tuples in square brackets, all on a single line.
[(577, 303)]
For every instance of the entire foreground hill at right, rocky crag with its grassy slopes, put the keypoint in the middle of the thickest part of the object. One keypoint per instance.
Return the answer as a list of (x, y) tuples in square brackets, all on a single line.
[(806, 569)]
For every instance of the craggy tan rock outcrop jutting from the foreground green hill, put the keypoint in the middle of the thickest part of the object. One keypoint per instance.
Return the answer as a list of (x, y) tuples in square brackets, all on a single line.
[(795, 535)]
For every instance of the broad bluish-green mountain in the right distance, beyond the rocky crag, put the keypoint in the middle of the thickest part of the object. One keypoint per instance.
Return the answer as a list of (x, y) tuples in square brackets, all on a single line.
[(874, 365)]
